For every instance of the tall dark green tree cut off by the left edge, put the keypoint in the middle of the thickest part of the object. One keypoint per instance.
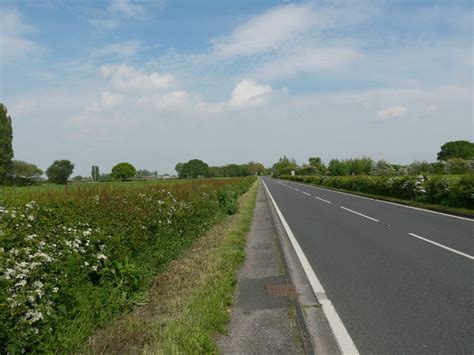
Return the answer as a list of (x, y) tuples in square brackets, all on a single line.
[(6, 148)]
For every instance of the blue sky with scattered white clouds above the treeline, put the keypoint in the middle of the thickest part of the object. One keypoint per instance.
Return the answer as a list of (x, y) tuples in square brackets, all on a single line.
[(159, 82)]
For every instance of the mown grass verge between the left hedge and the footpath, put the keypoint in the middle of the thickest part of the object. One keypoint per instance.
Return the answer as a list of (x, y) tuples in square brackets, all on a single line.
[(189, 302)]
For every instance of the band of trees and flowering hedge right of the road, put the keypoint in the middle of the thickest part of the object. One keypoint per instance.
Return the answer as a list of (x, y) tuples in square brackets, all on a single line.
[(447, 184)]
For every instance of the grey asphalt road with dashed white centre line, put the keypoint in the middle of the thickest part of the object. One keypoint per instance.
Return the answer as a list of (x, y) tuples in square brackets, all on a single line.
[(400, 279)]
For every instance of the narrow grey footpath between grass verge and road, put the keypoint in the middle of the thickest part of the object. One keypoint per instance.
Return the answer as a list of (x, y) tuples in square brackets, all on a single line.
[(266, 317)]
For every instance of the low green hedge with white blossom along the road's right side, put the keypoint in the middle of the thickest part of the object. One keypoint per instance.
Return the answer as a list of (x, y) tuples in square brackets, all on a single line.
[(446, 190)]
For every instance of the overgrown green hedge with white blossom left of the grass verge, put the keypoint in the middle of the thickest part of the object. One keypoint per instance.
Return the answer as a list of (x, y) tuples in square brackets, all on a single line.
[(74, 257)]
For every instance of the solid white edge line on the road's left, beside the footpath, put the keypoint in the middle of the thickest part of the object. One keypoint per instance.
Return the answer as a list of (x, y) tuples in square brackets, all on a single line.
[(344, 340)]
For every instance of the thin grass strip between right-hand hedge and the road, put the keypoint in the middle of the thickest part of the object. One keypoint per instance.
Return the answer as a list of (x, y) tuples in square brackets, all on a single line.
[(438, 208)]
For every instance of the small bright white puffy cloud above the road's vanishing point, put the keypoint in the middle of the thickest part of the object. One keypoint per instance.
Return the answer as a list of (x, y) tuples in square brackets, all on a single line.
[(248, 93)]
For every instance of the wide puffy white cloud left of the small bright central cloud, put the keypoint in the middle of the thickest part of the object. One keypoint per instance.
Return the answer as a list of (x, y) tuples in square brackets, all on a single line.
[(127, 78)]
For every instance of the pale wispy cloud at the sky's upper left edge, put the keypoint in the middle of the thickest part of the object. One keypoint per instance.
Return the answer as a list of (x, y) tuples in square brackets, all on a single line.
[(14, 32)]
